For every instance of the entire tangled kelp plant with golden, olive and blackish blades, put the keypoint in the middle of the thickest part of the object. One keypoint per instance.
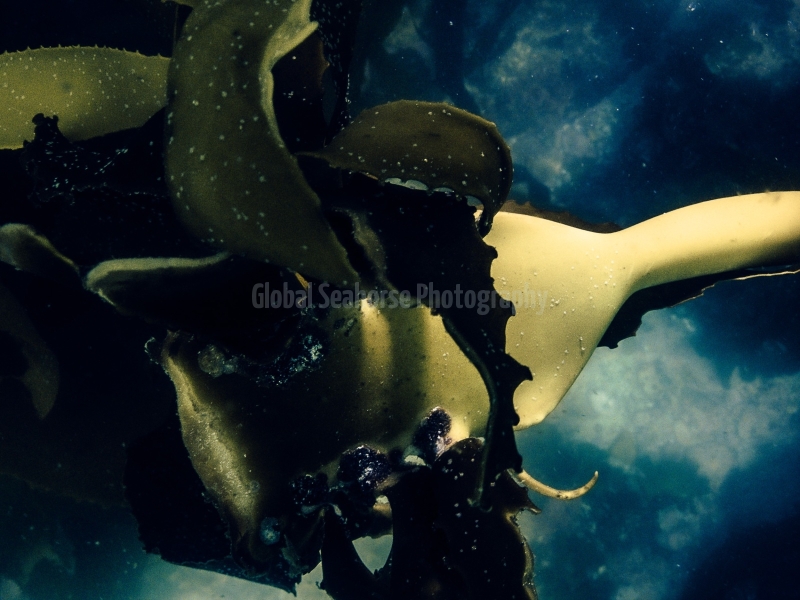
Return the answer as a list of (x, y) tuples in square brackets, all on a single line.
[(293, 200)]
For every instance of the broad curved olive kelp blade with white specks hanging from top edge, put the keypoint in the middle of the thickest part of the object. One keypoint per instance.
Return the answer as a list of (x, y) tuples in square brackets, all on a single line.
[(234, 183)]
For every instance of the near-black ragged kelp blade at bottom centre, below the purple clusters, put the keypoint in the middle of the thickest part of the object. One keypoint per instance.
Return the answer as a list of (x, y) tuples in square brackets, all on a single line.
[(443, 548)]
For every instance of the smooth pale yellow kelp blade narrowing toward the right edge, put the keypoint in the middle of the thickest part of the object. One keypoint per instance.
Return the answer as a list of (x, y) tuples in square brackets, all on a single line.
[(567, 283)]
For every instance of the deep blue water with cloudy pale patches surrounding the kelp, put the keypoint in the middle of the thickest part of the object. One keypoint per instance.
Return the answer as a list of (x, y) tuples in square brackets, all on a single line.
[(615, 111)]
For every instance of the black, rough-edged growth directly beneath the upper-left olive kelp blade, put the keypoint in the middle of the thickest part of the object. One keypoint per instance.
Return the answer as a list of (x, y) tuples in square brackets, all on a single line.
[(88, 196)]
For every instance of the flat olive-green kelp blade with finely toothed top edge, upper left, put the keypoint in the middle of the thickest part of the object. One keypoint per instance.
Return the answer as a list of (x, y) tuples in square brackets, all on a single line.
[(94, 91)]
